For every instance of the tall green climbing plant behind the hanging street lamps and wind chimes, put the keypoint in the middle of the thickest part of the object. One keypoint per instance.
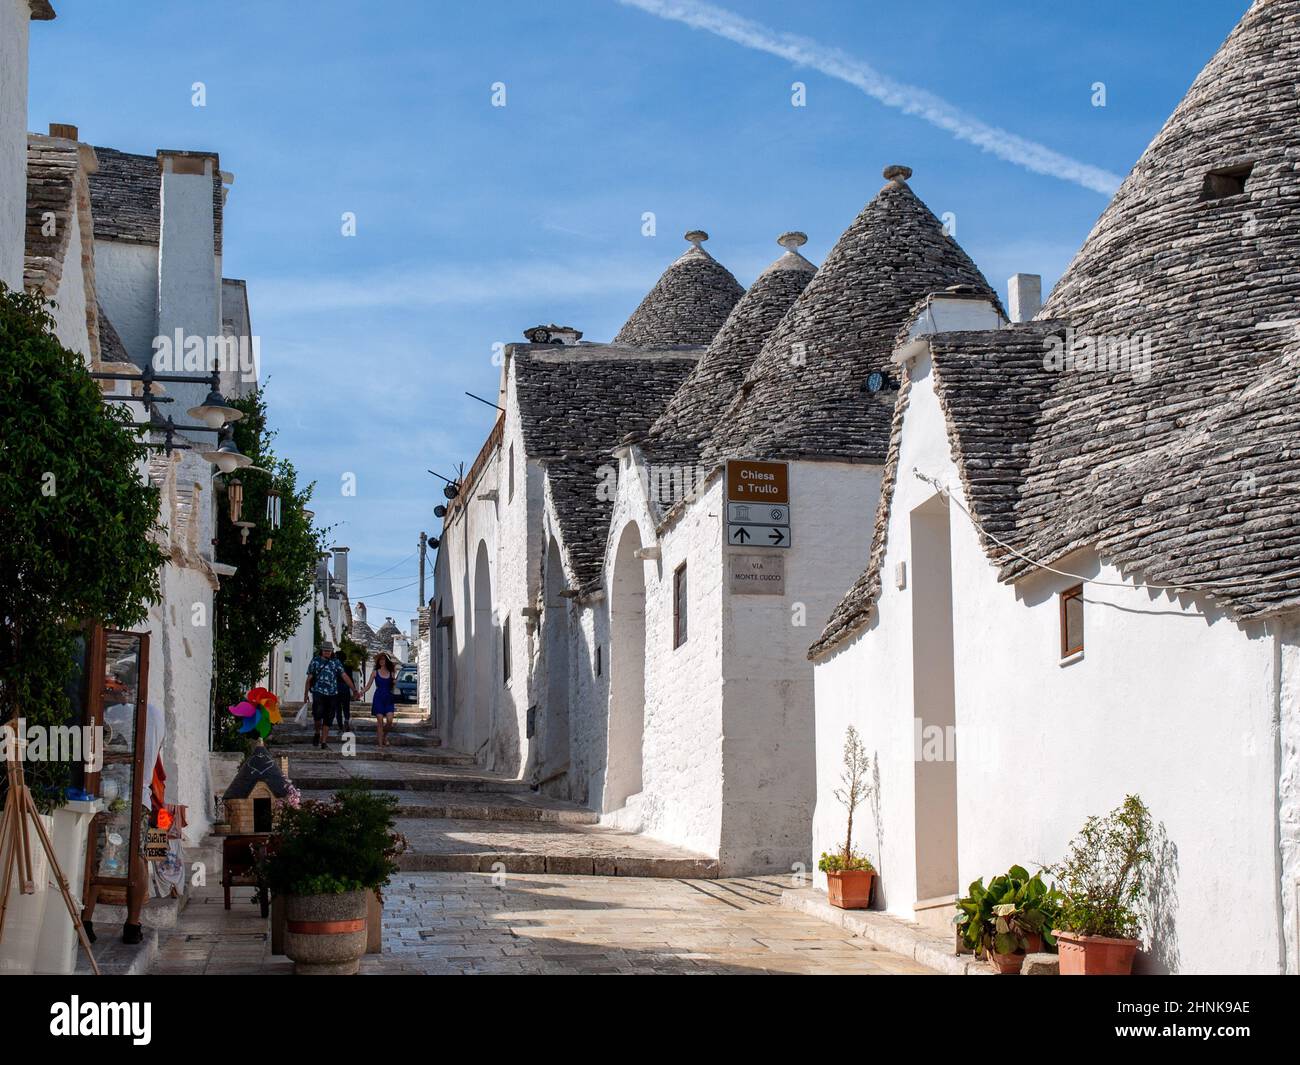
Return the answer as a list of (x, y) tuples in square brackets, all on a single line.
[(262, 603)]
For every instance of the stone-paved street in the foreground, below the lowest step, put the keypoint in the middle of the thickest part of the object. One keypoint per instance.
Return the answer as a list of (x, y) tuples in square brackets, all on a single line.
[(443, 924)]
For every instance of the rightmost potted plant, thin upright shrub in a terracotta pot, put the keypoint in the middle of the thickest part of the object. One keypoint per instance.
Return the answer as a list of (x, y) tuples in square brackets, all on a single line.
[(1104, 882)]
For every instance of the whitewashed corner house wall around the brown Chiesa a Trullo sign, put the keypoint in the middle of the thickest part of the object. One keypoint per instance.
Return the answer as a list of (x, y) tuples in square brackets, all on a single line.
[(729, 761)]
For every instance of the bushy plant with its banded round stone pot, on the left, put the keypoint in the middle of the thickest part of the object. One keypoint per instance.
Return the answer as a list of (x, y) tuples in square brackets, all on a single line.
[(324, 860)]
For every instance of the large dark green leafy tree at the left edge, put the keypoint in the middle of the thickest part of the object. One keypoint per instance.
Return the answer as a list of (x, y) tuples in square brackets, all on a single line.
[(80, 519)]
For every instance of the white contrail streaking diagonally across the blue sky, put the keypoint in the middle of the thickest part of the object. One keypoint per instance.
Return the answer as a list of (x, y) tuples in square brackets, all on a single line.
[(908, 98)]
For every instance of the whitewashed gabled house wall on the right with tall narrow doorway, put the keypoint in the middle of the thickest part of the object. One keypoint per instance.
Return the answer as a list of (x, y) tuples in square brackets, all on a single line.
[(1169, 702)]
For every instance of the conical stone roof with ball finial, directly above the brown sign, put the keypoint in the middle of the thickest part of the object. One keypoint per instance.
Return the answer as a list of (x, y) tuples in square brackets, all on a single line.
[(805, 396)]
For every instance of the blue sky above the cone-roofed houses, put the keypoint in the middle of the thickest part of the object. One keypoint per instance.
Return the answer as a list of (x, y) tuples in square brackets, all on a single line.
[(475, 223)]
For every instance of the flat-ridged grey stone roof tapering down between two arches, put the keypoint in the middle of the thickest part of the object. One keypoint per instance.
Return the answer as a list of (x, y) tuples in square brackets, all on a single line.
[(575, 406)]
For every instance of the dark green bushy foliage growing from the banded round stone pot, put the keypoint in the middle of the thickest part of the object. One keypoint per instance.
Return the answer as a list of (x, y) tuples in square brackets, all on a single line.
[(327, 848)]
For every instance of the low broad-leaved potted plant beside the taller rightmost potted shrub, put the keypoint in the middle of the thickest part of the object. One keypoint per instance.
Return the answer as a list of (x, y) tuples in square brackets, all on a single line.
[(1009, 919)]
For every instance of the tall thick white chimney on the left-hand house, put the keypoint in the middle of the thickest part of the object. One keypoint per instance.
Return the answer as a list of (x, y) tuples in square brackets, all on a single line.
[(189, 276)]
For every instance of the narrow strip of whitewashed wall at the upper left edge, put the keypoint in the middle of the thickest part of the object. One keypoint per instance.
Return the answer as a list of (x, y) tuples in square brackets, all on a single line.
[(15, 32)]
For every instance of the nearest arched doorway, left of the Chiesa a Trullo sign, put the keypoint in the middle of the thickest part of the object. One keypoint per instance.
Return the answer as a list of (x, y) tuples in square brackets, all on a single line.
[(627, 672)]
